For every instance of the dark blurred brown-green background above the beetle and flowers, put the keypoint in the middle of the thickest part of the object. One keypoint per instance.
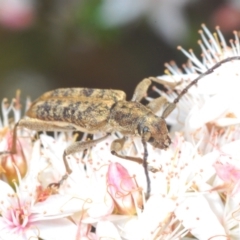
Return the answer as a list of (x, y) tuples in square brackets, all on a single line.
[(47, 44)]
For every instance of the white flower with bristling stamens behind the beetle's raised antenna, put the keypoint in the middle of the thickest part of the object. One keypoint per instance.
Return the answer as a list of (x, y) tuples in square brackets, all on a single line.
[(214, 100)]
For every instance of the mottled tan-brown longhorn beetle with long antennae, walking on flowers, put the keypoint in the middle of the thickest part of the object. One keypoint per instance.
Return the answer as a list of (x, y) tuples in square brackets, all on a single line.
[(91, 110)]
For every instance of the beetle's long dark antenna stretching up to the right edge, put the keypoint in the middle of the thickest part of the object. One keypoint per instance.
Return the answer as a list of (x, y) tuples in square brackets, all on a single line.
[(195, 81)]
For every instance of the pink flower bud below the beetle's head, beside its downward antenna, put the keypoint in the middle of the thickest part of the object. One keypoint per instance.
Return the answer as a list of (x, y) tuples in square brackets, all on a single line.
[(123, 189)]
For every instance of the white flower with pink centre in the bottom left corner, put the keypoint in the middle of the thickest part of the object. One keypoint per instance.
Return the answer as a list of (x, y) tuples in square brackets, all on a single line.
[(32, 212)]
